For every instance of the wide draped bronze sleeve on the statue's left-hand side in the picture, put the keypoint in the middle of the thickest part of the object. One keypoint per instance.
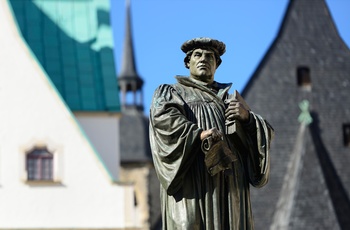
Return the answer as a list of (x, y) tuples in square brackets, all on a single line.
[(175, 141)]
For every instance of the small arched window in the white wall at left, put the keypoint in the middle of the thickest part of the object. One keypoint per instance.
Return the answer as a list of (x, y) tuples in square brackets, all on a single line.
[(39, 164)]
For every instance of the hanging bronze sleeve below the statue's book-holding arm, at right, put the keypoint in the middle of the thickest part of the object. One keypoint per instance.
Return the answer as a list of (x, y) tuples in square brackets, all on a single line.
[(260, 135)]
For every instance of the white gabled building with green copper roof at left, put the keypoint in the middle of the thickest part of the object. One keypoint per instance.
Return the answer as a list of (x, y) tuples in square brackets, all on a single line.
[(59, 140)]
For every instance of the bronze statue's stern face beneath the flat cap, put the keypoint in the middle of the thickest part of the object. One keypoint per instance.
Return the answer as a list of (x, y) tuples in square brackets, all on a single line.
[(202, 65)]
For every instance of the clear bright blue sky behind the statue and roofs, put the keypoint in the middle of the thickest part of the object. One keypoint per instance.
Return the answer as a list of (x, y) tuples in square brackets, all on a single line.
[(247, 27)]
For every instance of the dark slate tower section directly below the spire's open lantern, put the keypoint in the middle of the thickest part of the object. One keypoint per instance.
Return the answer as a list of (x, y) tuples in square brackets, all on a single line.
[(134, 141)]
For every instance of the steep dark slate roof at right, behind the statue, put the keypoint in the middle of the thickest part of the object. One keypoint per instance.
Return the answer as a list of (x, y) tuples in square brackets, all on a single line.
[(307, 37)]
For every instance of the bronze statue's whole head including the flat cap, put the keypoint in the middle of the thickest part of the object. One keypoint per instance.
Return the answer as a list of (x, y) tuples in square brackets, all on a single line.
[(203, 57)]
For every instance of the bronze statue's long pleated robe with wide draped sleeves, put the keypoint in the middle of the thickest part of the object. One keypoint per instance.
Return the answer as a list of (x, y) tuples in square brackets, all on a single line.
[(190, 197)]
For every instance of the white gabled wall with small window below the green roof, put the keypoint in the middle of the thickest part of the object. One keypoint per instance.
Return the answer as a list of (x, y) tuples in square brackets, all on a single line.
[(51, 175)]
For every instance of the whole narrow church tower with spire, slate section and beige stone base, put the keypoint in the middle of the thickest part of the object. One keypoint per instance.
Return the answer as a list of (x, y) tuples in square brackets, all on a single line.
[(136, 160)]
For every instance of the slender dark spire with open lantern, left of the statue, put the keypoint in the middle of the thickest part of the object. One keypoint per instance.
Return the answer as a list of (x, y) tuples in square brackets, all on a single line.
[(129, 81)]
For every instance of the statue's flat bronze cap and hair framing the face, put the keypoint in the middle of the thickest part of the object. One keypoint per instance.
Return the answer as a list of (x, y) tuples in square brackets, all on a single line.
[(216, 46)]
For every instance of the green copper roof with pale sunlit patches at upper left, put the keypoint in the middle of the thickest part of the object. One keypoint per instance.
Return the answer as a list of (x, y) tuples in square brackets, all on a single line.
[(73, 42)]
